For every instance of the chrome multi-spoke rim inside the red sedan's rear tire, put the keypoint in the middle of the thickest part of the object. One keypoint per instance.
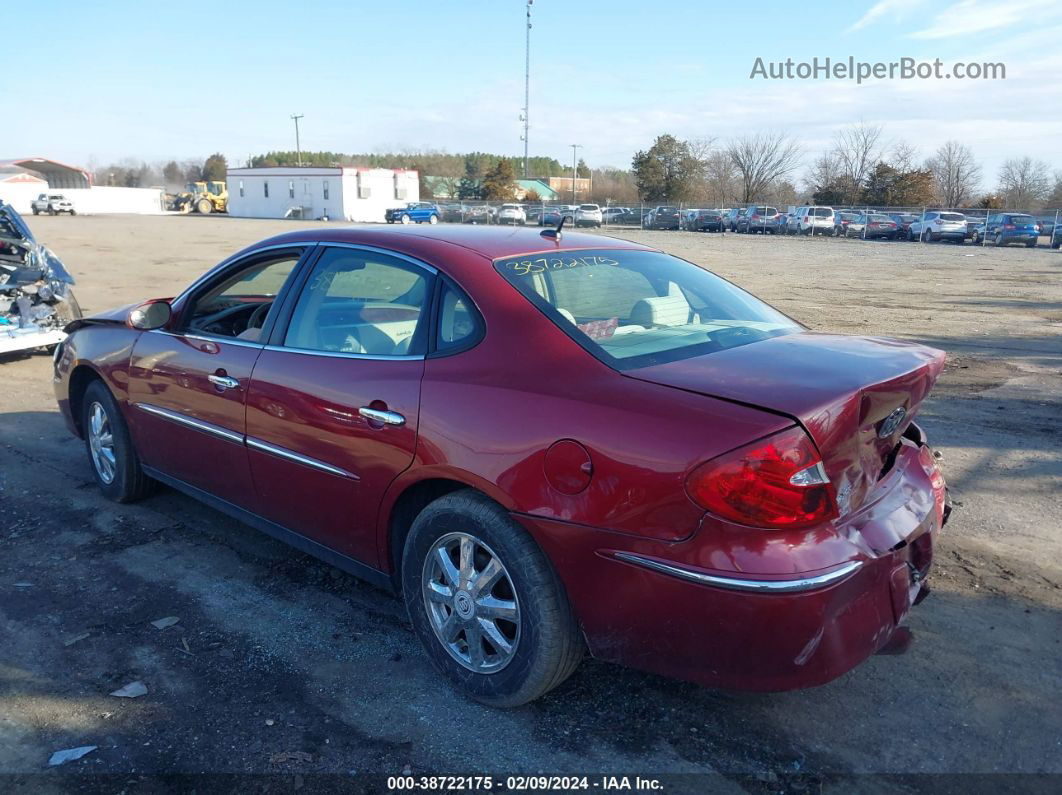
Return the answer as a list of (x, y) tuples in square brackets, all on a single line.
[(472, 603)]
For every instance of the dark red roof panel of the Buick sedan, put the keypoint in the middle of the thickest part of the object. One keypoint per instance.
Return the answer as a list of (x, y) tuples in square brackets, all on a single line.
[(489, 241)]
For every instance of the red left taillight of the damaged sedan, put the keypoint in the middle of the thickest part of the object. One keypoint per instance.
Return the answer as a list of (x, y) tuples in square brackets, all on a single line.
[(778, 482)]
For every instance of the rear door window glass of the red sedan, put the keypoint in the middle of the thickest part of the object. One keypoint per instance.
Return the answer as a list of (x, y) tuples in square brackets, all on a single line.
[(358, 302)]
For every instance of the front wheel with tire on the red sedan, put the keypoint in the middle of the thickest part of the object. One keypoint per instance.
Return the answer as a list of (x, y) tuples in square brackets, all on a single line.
[(111, 454)]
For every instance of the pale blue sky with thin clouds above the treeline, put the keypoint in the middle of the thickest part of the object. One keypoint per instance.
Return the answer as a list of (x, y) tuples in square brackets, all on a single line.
[(93, 83)]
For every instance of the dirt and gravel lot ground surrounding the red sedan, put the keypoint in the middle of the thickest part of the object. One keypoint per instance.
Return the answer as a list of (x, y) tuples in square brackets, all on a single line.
[(277, 653)]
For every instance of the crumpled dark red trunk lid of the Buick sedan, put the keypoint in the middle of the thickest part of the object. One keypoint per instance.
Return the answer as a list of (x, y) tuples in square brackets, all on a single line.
[(854, 395)]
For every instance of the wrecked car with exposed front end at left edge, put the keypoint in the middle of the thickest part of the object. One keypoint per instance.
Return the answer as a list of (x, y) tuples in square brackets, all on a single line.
[(37, 302)]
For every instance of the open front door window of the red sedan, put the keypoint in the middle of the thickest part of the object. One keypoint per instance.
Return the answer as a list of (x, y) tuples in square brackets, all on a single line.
[(242, 304)]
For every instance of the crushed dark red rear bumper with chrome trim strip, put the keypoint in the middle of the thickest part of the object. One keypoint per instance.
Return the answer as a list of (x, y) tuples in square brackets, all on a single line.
[(674, 611)]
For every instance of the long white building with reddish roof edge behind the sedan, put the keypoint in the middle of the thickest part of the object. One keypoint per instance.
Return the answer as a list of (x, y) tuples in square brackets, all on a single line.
[(345, 194)]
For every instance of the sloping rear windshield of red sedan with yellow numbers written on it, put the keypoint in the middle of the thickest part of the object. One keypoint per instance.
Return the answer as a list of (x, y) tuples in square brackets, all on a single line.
[(635, 309)]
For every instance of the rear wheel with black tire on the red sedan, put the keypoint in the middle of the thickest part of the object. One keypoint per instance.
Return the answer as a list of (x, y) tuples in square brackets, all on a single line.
[(486, 602)]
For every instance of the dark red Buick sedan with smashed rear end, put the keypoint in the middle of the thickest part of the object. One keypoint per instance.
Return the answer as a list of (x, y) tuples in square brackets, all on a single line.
[(545, 445)]
